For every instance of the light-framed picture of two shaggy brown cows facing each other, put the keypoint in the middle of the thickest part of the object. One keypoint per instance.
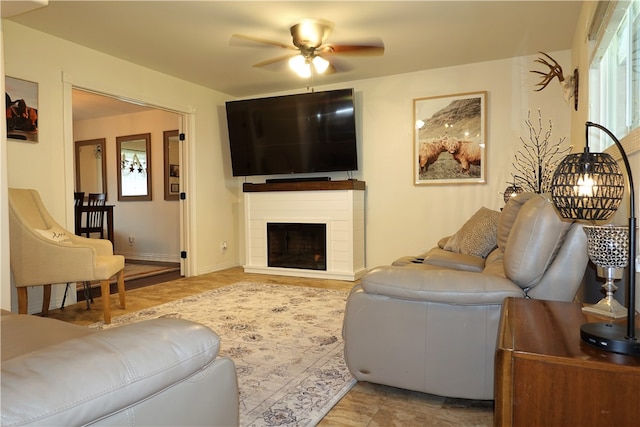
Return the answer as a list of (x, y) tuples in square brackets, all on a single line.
[(449, 138)]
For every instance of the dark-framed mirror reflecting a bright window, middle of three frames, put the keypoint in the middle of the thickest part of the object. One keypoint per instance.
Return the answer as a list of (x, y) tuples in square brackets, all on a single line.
[(134, 164)]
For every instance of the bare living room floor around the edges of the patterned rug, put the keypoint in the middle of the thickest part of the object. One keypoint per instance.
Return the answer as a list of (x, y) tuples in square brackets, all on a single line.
[(365, 405)]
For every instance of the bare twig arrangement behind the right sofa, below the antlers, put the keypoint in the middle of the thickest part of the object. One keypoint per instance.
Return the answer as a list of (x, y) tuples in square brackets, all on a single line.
[(538, 159)]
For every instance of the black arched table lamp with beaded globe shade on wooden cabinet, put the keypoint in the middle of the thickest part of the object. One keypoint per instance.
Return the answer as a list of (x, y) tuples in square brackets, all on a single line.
[(589, 186)]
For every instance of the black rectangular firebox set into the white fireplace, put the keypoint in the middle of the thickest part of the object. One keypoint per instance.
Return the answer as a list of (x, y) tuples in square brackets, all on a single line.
[(297, 245)]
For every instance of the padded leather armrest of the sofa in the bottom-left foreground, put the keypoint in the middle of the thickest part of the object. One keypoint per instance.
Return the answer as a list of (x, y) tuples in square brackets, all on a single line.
[(97, 375)]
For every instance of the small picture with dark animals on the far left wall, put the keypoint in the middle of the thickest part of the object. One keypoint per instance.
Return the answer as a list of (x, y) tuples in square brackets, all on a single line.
[(21, 102)]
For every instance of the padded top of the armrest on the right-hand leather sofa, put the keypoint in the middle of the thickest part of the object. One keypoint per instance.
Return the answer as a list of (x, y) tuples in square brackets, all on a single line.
[(439, 285)]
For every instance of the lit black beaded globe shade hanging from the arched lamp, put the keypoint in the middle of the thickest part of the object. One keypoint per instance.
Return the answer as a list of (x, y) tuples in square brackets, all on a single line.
[(587, 186)]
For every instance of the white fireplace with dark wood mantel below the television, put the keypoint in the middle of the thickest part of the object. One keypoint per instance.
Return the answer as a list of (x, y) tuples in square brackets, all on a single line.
[(335, 207)]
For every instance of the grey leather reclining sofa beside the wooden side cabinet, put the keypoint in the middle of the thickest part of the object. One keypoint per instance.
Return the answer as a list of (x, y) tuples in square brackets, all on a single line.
[(430, 323)]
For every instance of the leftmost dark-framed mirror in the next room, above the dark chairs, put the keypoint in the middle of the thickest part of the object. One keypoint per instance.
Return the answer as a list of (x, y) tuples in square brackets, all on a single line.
[(91, 166)]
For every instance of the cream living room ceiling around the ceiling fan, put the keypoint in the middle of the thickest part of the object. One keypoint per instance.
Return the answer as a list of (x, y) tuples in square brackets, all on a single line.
[(191, 39)]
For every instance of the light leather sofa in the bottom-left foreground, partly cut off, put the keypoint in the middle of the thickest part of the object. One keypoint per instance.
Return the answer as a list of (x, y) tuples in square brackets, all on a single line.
[(162, 372)]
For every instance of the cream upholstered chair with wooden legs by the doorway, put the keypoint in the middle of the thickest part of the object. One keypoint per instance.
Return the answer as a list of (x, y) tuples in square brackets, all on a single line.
[(43, 253)]
